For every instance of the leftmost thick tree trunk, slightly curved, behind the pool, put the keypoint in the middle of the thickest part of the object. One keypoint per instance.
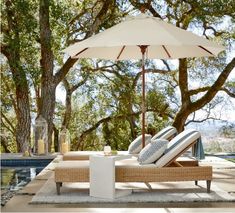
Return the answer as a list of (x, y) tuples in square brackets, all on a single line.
[(12, 53)]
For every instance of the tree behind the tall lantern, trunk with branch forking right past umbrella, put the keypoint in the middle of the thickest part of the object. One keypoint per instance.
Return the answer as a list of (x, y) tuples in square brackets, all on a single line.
[(50, 81)]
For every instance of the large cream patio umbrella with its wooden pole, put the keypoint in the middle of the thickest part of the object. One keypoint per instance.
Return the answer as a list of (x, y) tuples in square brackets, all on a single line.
[(136, 36)]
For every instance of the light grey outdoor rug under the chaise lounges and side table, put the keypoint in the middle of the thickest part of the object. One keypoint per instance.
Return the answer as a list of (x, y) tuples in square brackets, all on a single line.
[(161, 192)]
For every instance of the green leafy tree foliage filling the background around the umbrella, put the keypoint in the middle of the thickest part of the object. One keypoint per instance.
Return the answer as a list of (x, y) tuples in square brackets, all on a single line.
[(114, 92)]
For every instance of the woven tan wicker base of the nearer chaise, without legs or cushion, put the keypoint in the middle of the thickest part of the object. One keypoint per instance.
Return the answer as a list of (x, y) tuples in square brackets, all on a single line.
[(190, 172)]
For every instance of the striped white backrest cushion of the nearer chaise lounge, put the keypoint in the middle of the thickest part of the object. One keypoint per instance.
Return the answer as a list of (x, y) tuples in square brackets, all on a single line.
[(177, 145)]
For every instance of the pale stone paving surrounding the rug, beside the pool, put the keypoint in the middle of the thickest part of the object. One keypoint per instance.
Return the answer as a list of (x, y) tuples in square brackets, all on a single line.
[(224, 178)]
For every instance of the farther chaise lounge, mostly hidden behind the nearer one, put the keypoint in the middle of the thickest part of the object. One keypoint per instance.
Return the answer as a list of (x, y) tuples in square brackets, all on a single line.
[(167, 133)]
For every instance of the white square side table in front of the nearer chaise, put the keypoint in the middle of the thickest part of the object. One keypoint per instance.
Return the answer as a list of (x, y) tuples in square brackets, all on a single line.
[(102, 176)]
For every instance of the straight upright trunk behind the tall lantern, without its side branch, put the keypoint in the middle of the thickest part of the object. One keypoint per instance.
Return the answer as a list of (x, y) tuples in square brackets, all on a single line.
[(48, 86)]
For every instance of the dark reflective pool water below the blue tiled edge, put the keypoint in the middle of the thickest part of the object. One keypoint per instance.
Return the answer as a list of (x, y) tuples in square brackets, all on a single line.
[(15, 178)]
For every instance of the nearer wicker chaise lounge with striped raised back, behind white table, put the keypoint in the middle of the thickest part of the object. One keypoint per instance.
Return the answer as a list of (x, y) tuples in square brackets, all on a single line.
[(166, 169)]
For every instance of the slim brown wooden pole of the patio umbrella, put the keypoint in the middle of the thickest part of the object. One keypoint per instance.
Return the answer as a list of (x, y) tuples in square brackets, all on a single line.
[(143, 50)]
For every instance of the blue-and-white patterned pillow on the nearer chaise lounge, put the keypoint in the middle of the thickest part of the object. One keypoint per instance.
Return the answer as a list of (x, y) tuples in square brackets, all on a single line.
[(153, 151)]
